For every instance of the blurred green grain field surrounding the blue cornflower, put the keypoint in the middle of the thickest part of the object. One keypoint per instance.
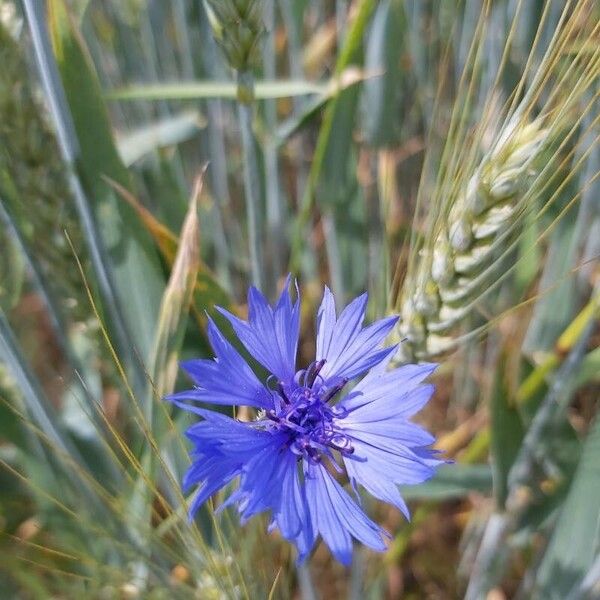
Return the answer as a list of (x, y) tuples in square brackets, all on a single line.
[(158, 157)]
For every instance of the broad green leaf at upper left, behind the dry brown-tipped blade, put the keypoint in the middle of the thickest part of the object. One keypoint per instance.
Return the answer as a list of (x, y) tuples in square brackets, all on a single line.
[(134, 261)]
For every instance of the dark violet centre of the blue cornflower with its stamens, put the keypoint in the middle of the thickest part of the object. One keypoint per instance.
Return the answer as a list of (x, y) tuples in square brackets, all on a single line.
[(304, 414)]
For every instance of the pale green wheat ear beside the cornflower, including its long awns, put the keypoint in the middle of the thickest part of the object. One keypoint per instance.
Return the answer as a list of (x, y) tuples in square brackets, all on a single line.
[(476, 210)]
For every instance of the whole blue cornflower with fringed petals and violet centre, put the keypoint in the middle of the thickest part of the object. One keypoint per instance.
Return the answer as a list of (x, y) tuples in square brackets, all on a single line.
[(307, 428)]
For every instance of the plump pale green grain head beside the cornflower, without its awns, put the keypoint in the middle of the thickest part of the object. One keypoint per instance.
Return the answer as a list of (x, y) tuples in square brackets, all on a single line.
[(458, 266)]
